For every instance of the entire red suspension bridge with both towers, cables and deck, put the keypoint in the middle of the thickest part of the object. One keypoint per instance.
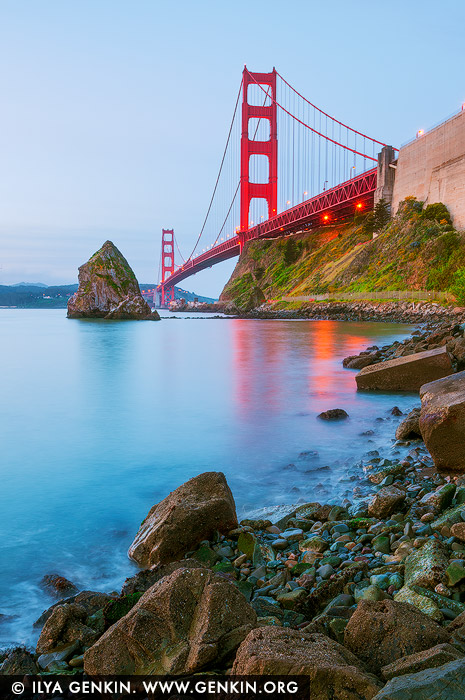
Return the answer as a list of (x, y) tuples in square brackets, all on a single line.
[(325, 171)]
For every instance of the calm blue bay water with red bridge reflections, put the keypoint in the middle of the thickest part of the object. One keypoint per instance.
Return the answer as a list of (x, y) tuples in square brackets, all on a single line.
[(100, 420)]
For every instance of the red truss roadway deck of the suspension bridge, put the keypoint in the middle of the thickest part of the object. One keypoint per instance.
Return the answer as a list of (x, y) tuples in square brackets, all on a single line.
[(356, 194)]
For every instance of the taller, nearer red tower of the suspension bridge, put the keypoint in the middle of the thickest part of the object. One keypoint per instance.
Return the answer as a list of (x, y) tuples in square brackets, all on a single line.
[(250, 190)]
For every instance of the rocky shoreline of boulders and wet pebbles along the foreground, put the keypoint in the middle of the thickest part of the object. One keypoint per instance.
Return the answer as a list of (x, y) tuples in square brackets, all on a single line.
[(366, 597)]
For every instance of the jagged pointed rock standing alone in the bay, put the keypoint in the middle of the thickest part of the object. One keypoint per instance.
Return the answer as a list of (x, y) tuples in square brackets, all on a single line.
[(108, 288)]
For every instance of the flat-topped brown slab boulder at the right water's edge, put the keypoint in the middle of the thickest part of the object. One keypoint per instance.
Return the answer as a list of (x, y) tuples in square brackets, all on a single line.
[(406, 373)]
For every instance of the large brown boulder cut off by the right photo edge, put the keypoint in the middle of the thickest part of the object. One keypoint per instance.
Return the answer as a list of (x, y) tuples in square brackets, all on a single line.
[(442, 422)]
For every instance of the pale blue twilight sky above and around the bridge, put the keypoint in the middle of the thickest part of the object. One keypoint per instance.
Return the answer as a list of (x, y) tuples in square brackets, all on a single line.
[(115, 113)]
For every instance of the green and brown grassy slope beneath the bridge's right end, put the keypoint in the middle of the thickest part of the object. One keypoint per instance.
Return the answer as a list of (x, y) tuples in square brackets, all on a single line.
[(411, 252)]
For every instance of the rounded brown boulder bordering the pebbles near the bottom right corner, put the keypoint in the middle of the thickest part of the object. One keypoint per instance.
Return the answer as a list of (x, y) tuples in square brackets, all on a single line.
[(381, 632)]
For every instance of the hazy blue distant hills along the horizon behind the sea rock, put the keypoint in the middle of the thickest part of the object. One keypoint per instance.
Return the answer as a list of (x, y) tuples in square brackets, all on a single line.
[(42, 296)]
